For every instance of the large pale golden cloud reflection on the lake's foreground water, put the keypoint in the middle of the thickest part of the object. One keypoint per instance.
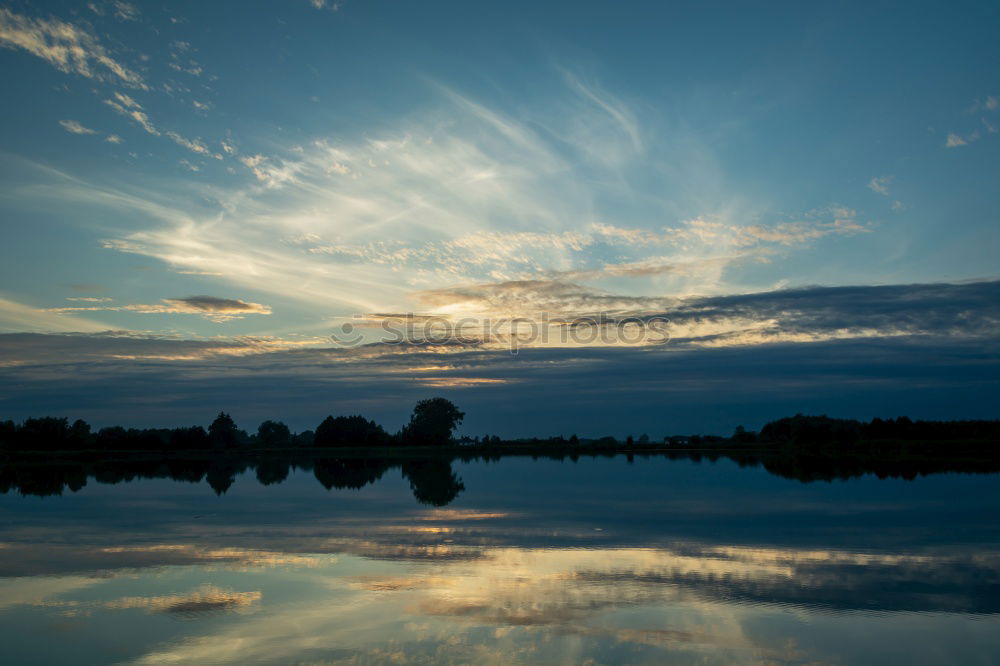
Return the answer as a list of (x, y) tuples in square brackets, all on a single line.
[(525, 599)]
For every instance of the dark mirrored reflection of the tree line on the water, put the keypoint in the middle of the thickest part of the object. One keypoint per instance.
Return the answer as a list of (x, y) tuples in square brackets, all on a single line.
[(432, 478)]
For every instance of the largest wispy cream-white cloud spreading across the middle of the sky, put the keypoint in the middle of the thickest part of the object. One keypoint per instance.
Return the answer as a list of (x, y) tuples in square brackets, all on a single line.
[(458, 194)]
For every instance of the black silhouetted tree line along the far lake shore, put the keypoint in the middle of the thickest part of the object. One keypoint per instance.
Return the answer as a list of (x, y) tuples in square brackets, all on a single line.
[(433, 421)]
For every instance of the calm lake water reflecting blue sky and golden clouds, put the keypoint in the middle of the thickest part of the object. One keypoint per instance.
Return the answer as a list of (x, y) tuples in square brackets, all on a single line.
[(601, 560)]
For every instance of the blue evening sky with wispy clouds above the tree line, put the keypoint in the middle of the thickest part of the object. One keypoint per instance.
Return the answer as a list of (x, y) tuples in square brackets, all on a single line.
[(292, 209)]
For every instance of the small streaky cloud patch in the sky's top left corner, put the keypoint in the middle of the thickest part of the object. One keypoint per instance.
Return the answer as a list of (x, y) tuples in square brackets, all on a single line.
[(67, 47)]
